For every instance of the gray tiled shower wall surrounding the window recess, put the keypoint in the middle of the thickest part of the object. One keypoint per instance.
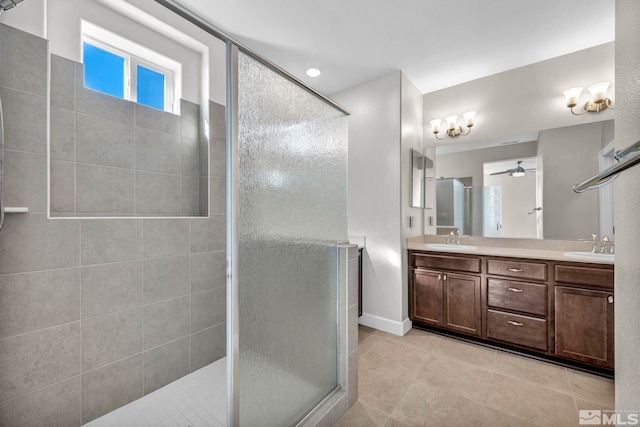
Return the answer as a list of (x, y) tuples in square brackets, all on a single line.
[(95, 313)]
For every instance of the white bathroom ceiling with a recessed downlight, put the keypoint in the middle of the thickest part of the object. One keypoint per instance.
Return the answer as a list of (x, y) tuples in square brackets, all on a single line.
[(436, 43)]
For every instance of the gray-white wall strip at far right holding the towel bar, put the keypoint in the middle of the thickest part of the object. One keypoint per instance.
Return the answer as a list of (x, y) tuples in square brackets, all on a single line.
[(627, 201)]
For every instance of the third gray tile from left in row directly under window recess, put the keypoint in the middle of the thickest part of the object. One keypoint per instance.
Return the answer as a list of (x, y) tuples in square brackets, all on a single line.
[(164, 237)]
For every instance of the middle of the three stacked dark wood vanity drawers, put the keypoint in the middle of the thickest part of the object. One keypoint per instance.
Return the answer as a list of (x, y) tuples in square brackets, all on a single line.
[(519, 296)]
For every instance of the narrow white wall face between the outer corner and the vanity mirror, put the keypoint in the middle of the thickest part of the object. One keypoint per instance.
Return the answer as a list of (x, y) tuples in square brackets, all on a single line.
[(411, 138)]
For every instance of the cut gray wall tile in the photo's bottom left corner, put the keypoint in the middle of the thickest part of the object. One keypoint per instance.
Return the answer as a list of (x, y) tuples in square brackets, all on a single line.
[(54, 406)]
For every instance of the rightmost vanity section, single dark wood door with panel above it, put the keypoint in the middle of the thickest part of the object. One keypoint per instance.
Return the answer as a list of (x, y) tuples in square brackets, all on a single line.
[(584, 316)]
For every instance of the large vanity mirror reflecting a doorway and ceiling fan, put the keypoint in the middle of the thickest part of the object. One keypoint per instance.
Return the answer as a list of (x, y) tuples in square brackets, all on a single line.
[(491, 197)]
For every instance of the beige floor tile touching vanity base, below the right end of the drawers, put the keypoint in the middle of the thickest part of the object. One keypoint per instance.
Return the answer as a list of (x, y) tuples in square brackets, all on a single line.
[(533, 371)]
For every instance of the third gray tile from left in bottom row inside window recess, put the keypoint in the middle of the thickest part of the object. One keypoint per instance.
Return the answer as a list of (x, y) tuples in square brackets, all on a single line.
[(157, 193)]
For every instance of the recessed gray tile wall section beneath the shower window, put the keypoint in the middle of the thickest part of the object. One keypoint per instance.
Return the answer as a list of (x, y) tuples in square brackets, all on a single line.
[(111, 156)]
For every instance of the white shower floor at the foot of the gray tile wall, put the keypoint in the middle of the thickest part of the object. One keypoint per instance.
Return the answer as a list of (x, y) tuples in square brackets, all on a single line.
[(196, 400)]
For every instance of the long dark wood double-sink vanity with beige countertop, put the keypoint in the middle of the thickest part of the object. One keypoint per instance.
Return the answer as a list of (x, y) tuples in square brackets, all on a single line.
[(534, 301)]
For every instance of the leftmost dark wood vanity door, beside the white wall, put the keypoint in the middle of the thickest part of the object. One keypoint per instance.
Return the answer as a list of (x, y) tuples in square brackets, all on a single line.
[(427, 297)]
